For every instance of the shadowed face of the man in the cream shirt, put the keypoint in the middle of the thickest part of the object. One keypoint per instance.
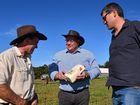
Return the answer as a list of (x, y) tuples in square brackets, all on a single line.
[(31, 45)]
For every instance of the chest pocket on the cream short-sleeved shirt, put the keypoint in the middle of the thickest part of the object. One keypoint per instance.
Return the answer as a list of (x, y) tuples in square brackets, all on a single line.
[(22, 74)]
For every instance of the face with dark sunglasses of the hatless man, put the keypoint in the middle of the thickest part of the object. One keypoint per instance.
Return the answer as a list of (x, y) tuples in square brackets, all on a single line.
[(108, 19)]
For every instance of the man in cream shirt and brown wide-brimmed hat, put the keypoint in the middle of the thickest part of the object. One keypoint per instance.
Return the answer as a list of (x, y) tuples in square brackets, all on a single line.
[(16, 73)]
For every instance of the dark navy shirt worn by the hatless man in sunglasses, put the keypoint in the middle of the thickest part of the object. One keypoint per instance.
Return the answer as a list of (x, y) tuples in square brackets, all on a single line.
[(124, 61)]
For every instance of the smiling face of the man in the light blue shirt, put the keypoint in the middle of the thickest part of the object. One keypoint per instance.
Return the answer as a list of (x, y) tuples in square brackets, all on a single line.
[(72, 44)]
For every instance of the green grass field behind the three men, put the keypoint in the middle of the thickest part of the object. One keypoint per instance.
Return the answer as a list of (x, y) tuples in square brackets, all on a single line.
[(99, 94)]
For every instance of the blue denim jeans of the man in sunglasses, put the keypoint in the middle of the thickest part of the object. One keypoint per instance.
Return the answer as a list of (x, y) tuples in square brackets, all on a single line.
[(126, 95)]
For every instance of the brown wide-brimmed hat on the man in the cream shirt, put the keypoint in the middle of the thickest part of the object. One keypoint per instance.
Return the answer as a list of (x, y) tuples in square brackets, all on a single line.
[(27, 31)]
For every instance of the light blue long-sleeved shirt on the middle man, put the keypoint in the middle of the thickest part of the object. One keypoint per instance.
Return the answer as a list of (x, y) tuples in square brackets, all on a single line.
[(65, 61)]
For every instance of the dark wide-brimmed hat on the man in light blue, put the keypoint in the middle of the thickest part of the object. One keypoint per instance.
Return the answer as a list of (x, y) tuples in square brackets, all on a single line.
[(74, 33)]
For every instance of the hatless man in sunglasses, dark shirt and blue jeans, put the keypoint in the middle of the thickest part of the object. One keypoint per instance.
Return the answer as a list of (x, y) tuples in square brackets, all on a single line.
[(124, 61)]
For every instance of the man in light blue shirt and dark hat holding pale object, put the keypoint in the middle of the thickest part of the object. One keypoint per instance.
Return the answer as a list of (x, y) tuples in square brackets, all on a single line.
[(76, 93)]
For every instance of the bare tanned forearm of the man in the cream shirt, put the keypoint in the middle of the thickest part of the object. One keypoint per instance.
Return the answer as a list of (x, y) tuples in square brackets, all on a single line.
[(8, 95)]
